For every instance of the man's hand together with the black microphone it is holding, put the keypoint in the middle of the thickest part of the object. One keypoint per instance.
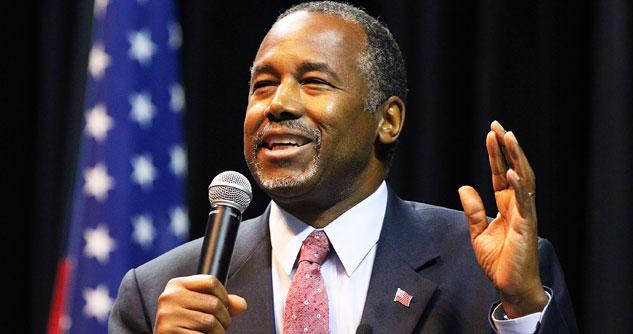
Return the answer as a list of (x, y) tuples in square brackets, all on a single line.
[(200, 302)]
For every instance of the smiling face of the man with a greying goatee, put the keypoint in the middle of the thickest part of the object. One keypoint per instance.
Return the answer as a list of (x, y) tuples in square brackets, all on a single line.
[(306, 133)]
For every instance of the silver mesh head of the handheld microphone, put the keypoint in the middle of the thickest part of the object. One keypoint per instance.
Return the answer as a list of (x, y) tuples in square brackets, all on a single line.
[(231, 189)]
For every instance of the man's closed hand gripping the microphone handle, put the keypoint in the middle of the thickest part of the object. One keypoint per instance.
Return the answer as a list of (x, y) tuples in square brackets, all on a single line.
[(196, 304)]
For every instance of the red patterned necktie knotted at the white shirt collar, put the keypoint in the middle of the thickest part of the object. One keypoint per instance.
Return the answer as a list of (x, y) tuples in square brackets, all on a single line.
[(306, 305)]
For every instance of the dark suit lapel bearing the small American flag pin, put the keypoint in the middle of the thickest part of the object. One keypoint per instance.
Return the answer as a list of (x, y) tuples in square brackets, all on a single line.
[(404, 249)]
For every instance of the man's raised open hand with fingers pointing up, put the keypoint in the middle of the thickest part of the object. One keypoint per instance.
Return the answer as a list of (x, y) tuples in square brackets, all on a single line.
[(506, 248)]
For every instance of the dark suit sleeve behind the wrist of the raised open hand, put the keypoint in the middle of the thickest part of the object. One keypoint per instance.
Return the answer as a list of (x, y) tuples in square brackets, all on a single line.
[(559, 316)]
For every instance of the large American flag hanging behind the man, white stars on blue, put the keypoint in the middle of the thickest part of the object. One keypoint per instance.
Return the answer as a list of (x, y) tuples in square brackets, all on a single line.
[(128, 202)]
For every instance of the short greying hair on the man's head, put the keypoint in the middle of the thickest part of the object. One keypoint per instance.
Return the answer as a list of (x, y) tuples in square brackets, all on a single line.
[(381, 63)]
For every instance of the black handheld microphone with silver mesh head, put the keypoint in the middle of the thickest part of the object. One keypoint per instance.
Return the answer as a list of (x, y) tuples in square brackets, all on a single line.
[(230, 194)]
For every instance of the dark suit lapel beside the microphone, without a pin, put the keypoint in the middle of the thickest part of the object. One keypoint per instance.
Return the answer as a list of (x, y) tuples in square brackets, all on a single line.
[(250, 277)]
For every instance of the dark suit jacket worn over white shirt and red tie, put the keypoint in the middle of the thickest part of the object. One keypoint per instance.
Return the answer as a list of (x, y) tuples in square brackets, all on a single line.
[(423, 249)]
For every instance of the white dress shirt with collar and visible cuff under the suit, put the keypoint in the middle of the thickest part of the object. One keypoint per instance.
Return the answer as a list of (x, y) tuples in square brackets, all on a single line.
[(347, 269)]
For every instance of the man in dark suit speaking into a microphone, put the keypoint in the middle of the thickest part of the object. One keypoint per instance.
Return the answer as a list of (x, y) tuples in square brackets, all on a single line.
[(326, 107)]
